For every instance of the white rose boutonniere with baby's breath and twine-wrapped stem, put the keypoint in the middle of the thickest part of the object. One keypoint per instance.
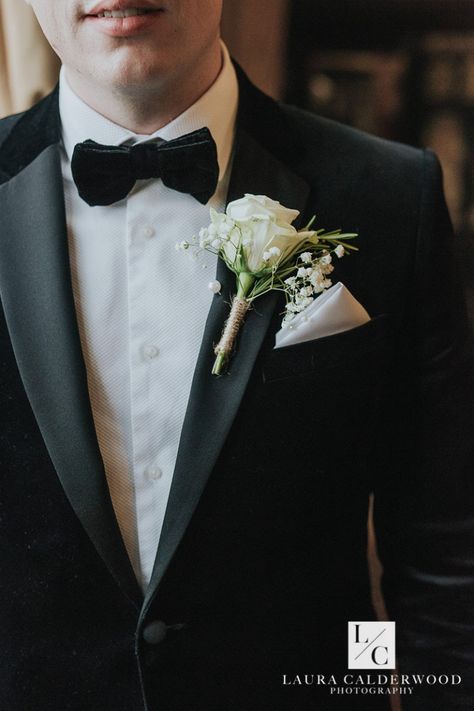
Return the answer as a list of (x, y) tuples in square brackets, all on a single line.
[(257, 241)]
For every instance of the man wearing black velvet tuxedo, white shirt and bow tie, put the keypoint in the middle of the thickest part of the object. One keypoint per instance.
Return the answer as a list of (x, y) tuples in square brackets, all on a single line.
[(172, 540)]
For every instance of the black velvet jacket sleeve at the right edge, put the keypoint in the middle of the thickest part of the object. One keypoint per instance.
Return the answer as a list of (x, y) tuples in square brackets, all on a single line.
[(424, 495)]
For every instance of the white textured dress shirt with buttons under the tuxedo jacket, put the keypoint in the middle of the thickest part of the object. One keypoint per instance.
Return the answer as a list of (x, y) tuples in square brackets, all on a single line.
[(141, 308)]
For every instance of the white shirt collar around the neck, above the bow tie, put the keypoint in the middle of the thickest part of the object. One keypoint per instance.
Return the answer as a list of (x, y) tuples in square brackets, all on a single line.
[(216, 109)]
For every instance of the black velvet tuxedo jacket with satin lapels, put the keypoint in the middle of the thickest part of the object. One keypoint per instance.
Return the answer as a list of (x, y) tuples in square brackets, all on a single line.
[(262, 559)]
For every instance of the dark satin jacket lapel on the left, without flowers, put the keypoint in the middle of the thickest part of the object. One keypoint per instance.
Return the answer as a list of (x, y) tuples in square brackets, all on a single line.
[(37, 298)]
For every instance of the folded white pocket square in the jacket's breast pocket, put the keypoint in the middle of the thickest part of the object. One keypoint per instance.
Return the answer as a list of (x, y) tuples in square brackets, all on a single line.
[(334, 311)]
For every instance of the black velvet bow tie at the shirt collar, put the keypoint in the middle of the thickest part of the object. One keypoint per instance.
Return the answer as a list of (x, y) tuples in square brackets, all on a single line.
[(106, 174)]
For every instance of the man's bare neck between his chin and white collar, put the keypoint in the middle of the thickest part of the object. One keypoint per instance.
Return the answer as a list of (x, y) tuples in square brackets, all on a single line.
[(144, 110)]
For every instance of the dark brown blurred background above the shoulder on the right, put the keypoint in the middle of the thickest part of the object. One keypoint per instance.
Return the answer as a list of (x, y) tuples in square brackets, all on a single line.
[(401, 69)]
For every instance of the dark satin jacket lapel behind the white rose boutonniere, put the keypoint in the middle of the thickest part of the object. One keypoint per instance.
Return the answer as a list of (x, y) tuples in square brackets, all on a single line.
[(214, 401)]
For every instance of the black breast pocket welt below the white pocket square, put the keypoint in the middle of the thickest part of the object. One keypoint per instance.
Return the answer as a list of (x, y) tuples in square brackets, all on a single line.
[(344, 349)]
